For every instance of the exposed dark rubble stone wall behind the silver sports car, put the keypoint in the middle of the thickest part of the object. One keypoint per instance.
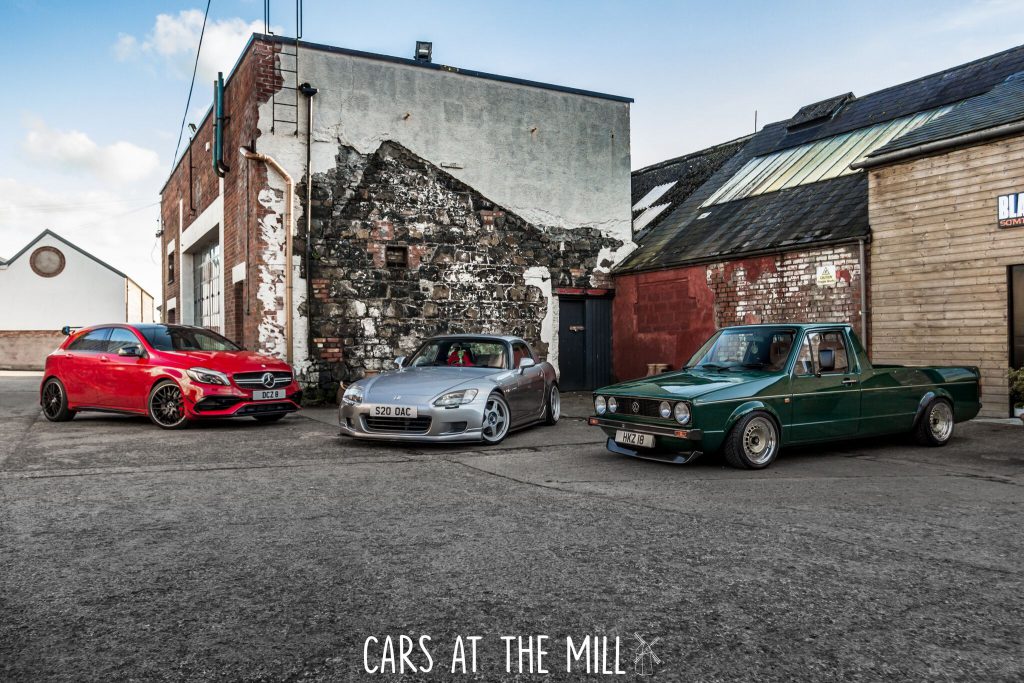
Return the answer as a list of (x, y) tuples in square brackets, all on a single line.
[(467, 263)]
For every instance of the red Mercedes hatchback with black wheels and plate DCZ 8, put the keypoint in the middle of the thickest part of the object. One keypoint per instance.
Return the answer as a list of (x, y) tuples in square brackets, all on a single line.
[(173, 373)]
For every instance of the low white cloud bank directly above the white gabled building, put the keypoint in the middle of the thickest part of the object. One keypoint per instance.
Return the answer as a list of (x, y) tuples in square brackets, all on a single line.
[(110, 225)]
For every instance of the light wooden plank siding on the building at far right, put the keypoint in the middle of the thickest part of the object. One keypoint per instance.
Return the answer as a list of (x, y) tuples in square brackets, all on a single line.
[(938, 270)]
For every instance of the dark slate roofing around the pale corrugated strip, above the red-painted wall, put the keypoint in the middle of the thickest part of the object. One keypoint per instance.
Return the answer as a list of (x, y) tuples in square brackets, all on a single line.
[(825, 212)]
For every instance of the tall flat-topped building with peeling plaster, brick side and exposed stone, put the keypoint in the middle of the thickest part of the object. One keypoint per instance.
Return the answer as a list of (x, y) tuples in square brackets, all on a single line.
[(435, 200)]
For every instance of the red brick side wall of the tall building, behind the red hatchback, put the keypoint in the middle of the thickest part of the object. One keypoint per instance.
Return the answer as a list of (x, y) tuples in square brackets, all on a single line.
[(251, 84)]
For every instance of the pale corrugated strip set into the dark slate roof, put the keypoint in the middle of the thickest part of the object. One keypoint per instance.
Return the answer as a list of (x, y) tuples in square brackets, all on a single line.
[(822, 160)]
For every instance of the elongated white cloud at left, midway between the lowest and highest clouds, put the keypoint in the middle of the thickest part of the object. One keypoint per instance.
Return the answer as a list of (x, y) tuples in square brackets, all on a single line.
[(74, 152)]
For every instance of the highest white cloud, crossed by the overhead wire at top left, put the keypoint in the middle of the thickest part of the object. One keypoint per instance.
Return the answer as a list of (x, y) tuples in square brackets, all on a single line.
[(176, 37)]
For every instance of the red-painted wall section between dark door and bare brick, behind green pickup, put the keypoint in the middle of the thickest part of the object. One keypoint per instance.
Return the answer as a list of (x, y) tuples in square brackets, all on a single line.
[(660, 318)]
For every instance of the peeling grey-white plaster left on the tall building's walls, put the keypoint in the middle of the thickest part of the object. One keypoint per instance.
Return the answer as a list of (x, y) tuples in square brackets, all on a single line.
[(560, 161)]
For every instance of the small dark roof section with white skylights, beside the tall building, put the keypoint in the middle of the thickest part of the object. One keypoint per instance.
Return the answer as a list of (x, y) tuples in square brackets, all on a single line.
[(684, 175)]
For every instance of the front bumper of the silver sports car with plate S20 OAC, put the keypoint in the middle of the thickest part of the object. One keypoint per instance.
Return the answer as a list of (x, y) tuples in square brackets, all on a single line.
[(447, 424)]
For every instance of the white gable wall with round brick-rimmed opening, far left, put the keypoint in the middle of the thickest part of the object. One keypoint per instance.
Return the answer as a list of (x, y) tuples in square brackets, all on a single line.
[(86, 292)]
